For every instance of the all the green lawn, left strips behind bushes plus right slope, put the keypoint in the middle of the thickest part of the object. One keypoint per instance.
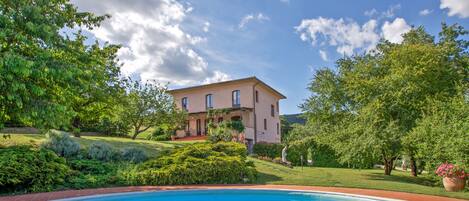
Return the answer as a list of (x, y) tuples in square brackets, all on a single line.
[(271, 173)]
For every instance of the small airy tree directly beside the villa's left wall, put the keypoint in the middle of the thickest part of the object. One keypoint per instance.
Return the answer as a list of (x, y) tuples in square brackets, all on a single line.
[(147, 105)]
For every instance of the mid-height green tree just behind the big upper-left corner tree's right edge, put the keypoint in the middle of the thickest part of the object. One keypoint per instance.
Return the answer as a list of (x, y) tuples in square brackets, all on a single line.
[(101, 90)]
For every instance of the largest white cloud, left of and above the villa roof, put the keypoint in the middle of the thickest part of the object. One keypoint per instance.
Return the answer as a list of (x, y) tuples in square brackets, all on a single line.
[(154, 46)]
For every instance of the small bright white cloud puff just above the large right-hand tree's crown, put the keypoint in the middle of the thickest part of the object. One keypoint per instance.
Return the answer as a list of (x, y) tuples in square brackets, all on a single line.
[(392, 31)]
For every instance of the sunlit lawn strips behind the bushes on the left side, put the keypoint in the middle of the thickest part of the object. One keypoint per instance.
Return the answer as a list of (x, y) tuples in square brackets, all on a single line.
[(152, 148)]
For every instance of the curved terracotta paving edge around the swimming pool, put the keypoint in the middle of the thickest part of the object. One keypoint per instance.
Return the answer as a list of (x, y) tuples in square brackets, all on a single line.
[(87, 192)]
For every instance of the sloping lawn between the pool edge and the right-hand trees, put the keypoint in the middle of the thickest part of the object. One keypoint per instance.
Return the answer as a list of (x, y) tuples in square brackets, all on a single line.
[(271, 173)]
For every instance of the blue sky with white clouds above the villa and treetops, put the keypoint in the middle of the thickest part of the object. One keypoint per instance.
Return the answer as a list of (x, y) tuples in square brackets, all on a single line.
[(282, 42)]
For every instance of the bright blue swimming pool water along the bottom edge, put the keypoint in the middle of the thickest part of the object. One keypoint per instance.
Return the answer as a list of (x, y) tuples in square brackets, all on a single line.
[(225, 195)]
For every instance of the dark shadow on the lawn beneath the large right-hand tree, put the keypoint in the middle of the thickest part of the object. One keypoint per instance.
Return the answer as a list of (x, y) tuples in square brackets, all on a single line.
[(402, 179)]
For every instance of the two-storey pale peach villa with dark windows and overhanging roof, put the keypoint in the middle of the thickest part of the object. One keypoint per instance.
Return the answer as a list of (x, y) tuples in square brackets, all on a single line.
[(249, 100)]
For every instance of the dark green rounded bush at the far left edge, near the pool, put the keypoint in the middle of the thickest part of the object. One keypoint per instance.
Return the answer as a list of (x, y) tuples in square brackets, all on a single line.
[(23, 168)]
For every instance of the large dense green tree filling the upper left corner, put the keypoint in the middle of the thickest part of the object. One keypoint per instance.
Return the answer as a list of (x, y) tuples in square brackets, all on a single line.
[(46, 75)]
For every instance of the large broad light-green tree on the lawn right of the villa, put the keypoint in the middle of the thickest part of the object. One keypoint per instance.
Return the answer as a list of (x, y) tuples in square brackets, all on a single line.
[(366, 107)]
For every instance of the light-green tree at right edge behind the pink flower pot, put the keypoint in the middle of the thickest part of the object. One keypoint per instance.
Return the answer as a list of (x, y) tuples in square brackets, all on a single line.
[(442, 134)]
